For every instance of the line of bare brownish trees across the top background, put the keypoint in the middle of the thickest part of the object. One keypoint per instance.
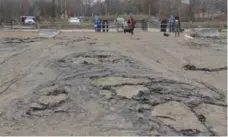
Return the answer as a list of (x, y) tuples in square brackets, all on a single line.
[(57, 8)]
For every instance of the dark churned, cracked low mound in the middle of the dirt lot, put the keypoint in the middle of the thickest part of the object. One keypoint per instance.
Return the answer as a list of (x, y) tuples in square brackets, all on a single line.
[(115, 92)]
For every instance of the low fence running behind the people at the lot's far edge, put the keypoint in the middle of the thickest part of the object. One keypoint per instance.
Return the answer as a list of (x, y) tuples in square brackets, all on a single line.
[(112, 25)]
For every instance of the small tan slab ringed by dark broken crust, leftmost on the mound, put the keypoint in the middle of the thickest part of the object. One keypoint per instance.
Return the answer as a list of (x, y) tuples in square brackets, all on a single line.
[(52, 100)]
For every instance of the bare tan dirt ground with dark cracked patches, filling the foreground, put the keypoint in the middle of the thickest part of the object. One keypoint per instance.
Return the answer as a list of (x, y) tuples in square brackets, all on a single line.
[(112, 84)]
